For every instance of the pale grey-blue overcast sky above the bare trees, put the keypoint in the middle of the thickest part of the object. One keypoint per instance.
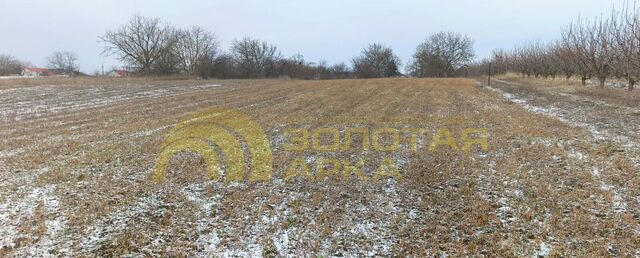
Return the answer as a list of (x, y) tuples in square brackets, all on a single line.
[(331, 30)]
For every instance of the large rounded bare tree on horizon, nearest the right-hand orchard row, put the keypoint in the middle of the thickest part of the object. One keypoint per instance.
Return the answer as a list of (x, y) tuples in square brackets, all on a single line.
[(442, 55)]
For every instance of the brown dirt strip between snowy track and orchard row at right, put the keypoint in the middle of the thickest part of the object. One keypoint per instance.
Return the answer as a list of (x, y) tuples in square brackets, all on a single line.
[(611, 115)]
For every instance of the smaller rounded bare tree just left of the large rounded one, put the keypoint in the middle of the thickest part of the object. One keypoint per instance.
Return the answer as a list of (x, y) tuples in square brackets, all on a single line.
[(376, 61)]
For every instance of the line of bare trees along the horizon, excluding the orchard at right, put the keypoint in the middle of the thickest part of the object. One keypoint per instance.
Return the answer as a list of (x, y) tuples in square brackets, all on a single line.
[(152, 47)]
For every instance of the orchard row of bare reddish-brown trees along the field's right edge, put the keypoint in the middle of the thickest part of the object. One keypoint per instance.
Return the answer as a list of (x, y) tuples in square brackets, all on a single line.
[(599, 49)]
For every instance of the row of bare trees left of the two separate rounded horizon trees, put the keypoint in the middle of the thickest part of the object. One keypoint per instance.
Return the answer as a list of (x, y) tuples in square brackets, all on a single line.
[(154, 47)]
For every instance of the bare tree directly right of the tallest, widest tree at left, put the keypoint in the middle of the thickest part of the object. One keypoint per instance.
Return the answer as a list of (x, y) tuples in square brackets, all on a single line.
[(195, 44)]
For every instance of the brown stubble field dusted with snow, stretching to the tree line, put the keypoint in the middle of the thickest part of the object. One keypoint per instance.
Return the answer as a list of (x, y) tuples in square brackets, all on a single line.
[(559, 177)]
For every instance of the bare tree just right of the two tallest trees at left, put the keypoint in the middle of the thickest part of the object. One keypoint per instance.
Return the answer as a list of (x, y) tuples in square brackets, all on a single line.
[(255, 58)]
